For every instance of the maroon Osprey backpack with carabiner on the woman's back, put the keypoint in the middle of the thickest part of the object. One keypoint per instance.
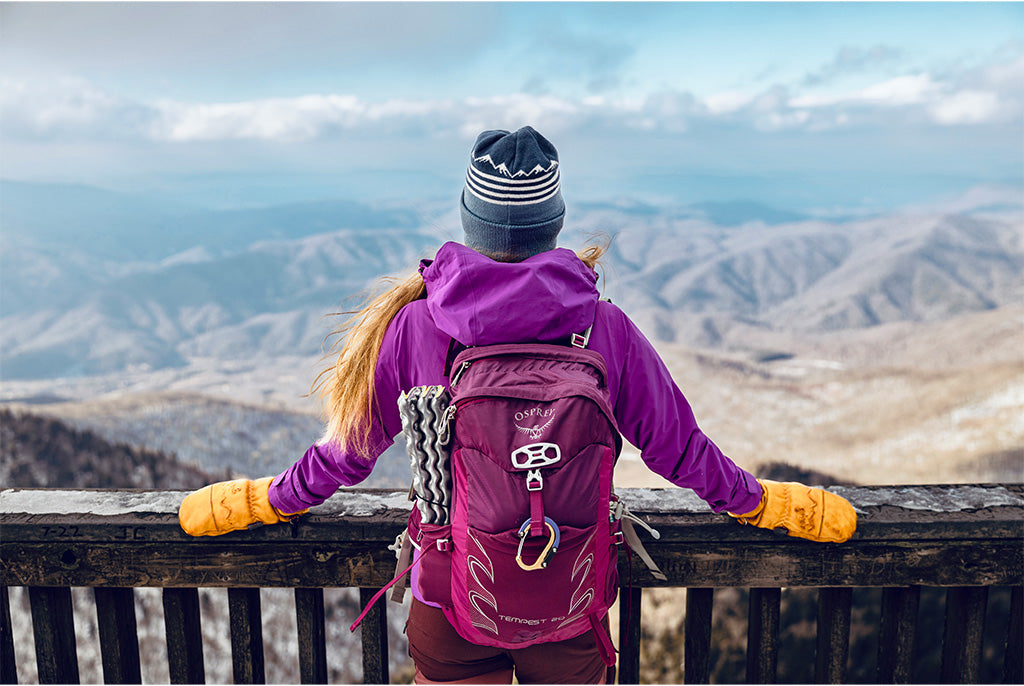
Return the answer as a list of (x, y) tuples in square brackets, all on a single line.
[(529, 553)]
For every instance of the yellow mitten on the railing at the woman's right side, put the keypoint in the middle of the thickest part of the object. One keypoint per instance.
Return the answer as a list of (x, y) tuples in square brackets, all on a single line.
[(803, 512)]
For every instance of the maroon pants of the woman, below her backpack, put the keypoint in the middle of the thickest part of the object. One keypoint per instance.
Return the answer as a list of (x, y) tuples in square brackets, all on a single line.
[(441, 655)]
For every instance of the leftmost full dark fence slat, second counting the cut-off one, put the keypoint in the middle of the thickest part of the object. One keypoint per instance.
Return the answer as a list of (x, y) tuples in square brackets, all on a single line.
[(54, 628)]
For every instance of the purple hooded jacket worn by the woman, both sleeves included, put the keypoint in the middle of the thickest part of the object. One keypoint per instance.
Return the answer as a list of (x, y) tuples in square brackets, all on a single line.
[(478, 302)]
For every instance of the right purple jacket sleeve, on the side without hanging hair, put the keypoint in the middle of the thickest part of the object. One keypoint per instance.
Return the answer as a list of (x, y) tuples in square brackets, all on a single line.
[(655, 416)]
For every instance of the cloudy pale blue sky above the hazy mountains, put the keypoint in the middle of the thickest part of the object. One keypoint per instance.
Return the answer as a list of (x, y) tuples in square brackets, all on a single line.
[(813, 105)]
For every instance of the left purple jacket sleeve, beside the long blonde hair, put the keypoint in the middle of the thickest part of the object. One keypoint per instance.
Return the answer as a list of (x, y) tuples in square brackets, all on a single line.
[(412, 355)]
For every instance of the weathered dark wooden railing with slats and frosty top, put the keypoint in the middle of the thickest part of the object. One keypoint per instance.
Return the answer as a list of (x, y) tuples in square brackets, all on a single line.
[(966, 539)]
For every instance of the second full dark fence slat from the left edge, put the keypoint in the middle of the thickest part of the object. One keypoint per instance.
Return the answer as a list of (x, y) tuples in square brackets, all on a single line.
[(118, 635)]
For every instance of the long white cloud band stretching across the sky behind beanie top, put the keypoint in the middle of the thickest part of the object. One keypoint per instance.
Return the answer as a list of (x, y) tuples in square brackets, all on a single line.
[(77, 110)]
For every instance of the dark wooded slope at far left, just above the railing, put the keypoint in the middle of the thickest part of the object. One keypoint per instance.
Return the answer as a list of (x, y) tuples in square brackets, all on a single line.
[(40, 452)]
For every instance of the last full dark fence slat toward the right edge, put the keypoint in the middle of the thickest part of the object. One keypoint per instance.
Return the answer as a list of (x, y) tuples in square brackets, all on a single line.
[(964, 632)]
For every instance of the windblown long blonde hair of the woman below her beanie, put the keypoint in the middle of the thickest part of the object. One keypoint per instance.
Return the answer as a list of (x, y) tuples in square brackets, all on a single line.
[(347, 389)]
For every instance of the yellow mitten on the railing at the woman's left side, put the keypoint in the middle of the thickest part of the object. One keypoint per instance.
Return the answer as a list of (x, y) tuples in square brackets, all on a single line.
[(230, 506)]
